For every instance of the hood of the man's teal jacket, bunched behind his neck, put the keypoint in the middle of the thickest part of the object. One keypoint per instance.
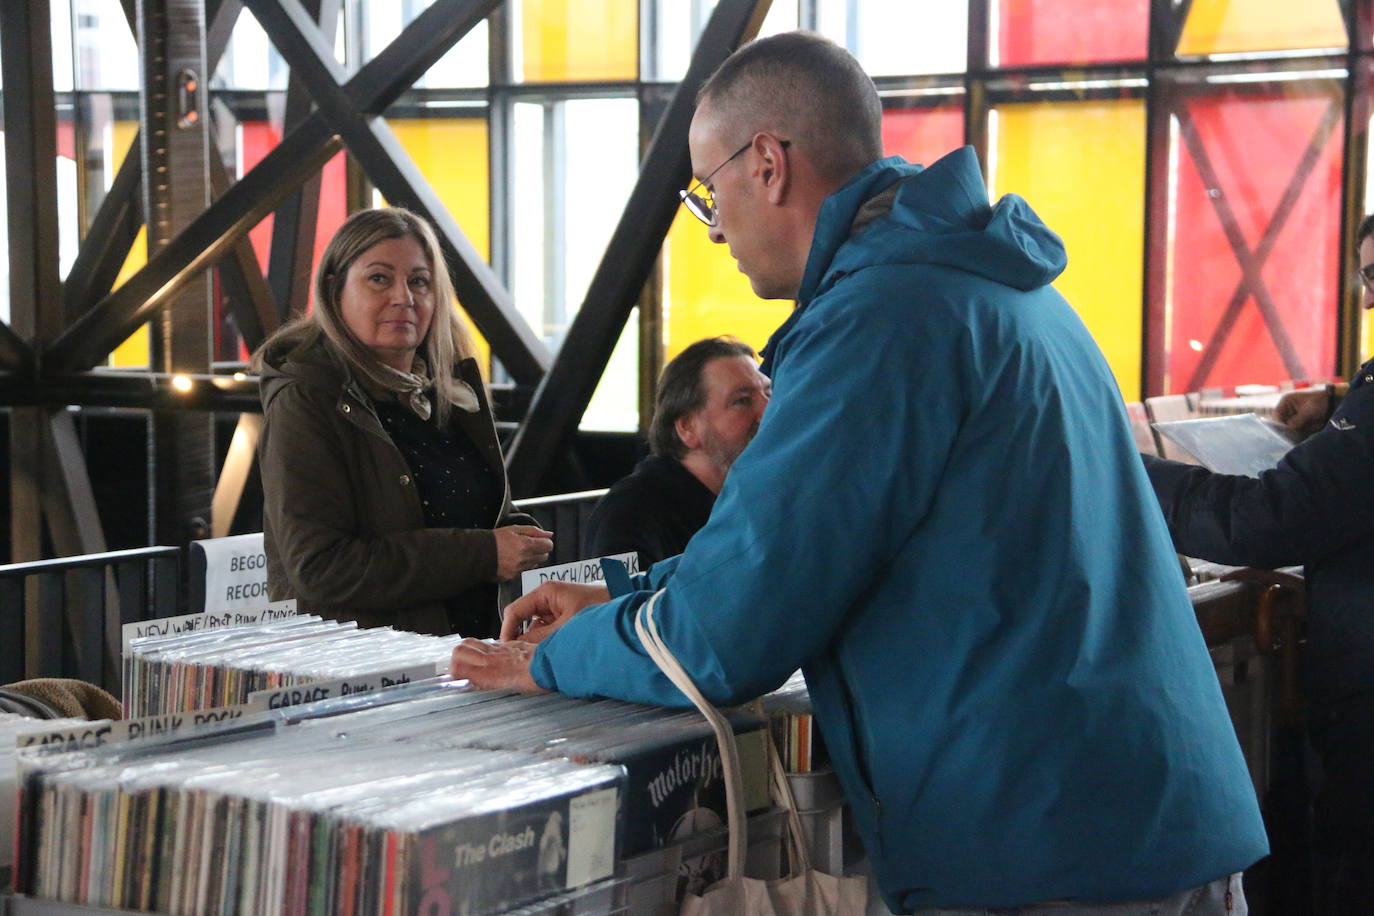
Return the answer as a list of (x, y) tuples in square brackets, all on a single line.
[(939, 216)]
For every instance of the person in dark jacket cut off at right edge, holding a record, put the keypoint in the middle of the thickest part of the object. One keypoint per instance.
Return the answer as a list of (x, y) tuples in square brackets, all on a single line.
[(1316, 509)]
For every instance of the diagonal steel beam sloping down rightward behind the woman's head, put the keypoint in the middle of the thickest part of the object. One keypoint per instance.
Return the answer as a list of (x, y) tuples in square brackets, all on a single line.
[(385, 161)]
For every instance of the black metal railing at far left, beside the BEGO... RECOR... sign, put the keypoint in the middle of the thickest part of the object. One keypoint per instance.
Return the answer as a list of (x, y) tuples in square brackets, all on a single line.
[(64, 617)]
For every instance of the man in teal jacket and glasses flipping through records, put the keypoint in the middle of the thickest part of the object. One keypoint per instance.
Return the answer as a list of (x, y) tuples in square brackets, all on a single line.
[(943, 523)]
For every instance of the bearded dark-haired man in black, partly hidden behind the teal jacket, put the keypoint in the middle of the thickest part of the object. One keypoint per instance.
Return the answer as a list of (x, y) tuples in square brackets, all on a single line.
[(710, 402)]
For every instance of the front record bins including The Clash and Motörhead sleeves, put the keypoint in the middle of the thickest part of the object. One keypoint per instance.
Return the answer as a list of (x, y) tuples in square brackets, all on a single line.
[(431, 799)]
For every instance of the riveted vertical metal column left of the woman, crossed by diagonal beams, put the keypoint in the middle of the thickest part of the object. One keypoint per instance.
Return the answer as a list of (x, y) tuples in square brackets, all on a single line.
[(177, 157)]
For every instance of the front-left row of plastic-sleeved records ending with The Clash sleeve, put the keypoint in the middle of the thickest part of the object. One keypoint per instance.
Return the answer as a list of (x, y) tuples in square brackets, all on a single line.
[(292, 821)]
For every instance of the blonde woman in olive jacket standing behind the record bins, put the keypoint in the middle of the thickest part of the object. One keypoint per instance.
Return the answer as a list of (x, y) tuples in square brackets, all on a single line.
[(385, 496)]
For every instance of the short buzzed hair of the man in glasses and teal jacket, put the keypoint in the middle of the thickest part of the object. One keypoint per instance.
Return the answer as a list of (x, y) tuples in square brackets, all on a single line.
[(810, 91)]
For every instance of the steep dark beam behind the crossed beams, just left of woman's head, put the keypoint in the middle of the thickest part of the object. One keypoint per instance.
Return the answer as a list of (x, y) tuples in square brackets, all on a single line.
[(295, 222)]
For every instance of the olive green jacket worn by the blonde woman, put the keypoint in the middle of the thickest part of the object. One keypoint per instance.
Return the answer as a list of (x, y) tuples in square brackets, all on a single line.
[(343, 523)]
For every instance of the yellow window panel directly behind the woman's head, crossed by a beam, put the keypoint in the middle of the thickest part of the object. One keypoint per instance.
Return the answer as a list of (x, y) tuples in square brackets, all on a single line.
[(451, 153)]
